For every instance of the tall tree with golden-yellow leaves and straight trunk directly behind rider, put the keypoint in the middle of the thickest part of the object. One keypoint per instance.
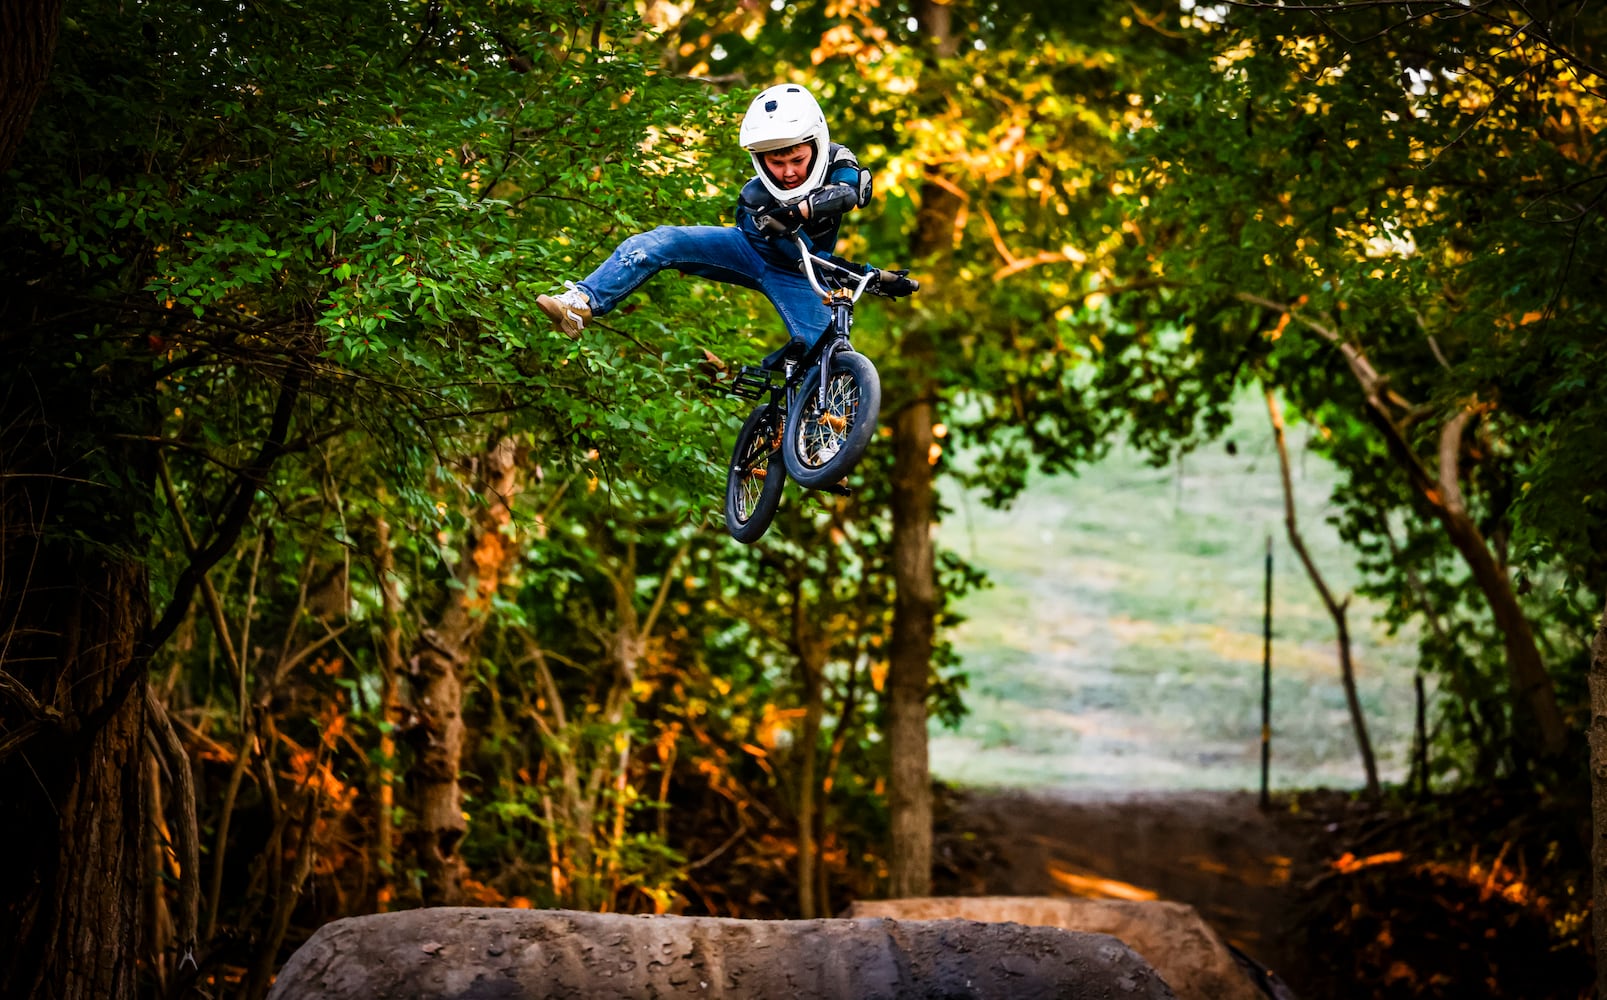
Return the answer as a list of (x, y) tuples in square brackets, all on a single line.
[(989, 126)]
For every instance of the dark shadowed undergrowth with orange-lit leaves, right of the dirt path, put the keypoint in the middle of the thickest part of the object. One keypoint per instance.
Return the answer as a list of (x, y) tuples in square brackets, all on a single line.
[(1447, 900)]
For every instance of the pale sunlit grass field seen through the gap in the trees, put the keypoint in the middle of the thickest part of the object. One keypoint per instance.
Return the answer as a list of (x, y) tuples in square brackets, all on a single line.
[(1121, 642)]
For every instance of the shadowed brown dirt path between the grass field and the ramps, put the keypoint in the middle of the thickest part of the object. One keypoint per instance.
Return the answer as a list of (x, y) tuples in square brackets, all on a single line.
[(1214, 851)]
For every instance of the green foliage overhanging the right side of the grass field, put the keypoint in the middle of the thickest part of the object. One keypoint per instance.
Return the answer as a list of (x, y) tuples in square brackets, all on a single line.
[(1356, 186)]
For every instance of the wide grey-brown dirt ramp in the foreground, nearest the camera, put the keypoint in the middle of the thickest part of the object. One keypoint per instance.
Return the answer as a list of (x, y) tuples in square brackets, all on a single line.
[(481, 954)]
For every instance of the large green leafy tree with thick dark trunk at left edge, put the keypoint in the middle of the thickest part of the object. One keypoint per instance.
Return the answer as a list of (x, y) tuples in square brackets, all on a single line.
[(250, 236)]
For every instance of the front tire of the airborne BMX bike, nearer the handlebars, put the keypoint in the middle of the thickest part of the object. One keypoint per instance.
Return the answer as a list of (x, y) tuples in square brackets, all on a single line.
[(824, 446)]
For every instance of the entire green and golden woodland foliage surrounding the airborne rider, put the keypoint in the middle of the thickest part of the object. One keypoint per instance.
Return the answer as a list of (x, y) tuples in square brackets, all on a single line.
[(274, 293)]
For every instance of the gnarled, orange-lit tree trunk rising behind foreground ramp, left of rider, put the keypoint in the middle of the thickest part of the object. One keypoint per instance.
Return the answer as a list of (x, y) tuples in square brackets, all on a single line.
[(438, 665)]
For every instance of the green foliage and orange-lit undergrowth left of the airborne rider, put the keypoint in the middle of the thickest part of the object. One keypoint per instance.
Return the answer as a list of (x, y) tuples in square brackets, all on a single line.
[(333, 223)]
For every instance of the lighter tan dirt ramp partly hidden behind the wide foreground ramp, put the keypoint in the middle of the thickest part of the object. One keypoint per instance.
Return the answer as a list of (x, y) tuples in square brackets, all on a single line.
[(1171, 936)]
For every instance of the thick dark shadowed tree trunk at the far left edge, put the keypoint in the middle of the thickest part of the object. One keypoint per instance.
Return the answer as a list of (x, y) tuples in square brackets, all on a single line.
[(75, 639)]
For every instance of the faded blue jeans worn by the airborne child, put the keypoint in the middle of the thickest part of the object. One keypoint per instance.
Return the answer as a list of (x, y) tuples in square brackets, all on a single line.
[(708, 252)]
